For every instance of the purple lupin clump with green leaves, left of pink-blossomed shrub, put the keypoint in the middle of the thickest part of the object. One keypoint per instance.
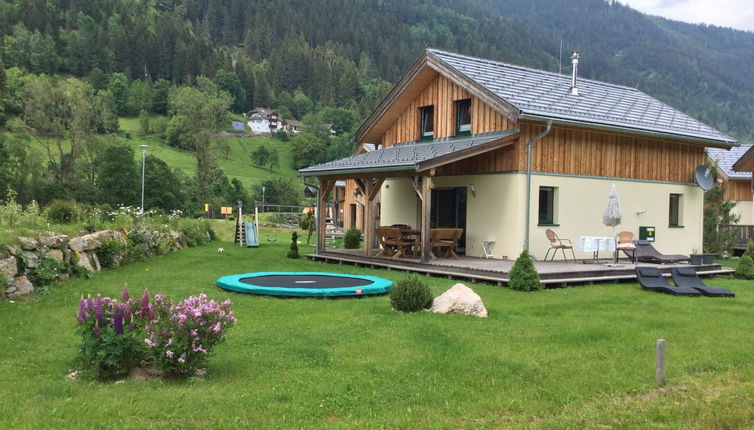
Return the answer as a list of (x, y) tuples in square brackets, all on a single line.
[(110, 340)]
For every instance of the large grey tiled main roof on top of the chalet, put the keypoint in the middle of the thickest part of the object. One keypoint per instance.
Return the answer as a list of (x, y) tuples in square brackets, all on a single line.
[(539, 93)]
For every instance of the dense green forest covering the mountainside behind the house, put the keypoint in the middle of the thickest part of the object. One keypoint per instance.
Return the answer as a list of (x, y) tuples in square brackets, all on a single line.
[(69, 69)]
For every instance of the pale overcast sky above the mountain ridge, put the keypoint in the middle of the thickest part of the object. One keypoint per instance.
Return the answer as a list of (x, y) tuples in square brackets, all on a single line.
[(738, 14)]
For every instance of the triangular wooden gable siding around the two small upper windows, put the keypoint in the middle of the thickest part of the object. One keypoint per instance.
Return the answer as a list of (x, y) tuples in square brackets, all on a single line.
[(442, 93)]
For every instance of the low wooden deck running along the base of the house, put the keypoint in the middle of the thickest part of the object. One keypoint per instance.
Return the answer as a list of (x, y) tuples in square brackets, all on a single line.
[(495, 271)]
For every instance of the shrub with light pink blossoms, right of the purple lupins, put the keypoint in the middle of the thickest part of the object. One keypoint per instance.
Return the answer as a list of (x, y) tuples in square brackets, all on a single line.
[(182, 335)]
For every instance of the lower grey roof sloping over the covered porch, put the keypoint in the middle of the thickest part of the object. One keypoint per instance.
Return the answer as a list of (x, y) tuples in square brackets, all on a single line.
[(404, 157)]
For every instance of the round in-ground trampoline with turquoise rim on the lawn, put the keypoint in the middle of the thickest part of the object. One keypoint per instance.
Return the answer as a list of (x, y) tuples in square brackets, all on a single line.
[(305, 284)]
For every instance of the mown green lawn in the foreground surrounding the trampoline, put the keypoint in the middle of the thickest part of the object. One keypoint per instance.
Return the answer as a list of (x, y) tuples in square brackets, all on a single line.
[(580, 357)]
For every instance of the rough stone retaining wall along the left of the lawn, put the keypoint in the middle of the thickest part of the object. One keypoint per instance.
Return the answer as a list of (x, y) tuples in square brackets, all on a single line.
[(18, 262)]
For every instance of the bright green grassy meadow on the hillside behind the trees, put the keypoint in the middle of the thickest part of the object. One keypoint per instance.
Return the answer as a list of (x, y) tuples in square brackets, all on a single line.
[(236, 165)]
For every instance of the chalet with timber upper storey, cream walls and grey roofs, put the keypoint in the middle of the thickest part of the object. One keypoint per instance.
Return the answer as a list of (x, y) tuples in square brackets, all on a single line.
[(506, 152)]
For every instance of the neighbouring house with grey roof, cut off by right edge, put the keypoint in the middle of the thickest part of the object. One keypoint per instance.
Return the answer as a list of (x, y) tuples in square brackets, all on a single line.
[(739, 184)]
